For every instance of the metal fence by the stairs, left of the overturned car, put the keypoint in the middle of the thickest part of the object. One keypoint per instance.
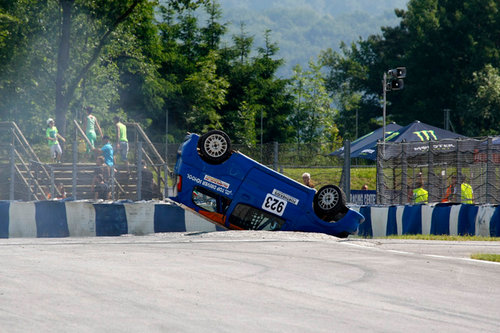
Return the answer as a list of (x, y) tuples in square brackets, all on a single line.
[(23, 178)]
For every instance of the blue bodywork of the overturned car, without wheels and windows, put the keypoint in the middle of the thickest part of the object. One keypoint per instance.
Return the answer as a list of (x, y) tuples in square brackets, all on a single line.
[(242, 181)]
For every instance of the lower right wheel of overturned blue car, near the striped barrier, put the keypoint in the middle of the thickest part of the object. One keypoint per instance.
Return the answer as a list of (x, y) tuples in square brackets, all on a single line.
[(329, 201)]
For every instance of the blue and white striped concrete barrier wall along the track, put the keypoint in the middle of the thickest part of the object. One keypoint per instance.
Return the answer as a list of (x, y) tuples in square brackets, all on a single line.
[(86, 219)]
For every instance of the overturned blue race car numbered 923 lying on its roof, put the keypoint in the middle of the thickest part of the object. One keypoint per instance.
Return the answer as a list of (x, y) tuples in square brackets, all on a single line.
[(237, 192)]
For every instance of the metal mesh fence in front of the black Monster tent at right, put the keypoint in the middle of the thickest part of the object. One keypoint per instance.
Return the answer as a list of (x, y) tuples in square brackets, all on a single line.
[(401, 166)]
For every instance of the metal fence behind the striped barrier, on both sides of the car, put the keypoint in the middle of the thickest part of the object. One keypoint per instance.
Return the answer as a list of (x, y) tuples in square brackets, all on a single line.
[(400, 167)]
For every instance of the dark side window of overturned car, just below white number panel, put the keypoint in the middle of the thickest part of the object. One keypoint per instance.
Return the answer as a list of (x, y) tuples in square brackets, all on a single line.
[(247, 217)]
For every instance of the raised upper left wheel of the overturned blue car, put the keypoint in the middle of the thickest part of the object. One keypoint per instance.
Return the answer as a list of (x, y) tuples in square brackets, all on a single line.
[(214, 147)]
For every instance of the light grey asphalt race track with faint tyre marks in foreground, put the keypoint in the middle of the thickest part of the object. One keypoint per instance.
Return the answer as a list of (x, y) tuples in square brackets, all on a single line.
[(244, 281)]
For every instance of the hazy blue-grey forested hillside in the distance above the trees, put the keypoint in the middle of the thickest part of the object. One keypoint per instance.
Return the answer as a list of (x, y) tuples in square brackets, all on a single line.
[(303, 29)]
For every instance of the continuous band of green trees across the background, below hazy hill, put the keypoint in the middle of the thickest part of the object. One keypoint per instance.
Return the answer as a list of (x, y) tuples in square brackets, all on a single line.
[(159, 62)]
